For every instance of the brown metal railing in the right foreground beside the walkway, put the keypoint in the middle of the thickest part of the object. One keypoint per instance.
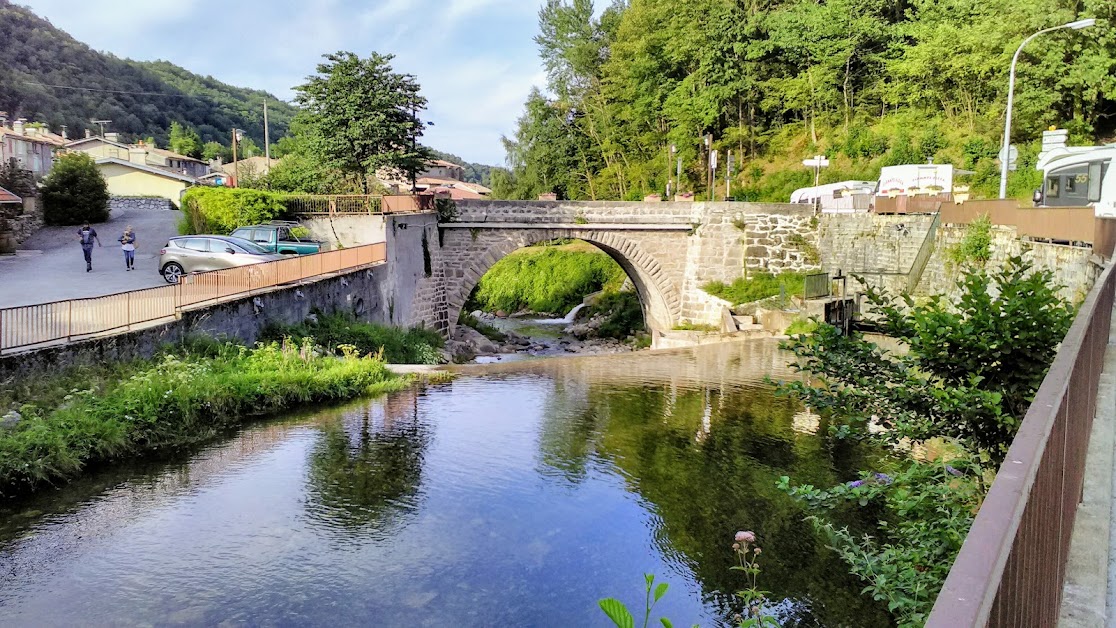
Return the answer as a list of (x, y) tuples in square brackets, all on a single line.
[(1012, 568)]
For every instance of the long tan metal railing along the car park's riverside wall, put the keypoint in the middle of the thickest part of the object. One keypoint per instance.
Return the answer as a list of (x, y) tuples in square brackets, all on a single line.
[(45, 324)]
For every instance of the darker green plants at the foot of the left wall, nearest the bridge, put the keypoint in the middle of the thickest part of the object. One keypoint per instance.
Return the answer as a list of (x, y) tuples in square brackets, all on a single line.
[(338, 333)]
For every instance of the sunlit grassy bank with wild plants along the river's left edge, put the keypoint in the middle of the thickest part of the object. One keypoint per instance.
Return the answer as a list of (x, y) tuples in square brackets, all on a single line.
[(186, 397)]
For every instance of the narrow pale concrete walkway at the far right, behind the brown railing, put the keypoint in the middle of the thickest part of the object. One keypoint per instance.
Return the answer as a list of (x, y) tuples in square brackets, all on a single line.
[(1090, 592)]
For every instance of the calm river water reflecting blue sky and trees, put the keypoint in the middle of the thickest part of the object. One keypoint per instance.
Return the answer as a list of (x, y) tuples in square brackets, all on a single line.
[(517, 496)]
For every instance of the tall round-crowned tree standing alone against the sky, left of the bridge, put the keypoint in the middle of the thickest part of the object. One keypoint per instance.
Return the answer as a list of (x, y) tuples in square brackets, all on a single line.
[(361, 117)]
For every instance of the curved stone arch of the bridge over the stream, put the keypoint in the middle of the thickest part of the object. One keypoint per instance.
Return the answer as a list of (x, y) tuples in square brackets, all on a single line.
[(659, 296)]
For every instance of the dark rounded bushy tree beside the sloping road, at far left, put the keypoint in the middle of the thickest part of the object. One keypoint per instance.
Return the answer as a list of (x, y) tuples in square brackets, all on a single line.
[(75, 192)]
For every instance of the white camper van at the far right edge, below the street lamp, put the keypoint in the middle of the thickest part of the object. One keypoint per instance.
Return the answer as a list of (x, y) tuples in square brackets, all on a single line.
[(1079, 177)]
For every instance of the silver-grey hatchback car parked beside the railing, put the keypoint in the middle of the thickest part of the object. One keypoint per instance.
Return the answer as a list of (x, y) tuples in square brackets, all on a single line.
[(200, 254)]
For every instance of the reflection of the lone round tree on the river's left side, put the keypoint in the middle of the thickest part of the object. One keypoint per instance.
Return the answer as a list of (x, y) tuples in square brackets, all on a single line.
[(365, 472)]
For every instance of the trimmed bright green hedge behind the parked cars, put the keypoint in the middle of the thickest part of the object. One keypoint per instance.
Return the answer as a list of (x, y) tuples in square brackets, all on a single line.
[(223, 210)]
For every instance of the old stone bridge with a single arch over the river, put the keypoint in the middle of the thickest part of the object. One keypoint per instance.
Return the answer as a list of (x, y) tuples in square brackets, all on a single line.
[(669, 250)]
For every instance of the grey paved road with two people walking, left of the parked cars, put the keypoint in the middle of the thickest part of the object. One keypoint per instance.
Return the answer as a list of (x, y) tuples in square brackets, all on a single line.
[(60, 274)]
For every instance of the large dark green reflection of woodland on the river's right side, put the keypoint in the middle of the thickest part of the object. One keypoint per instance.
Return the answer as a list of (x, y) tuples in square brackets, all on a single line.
[(708, 460)]
